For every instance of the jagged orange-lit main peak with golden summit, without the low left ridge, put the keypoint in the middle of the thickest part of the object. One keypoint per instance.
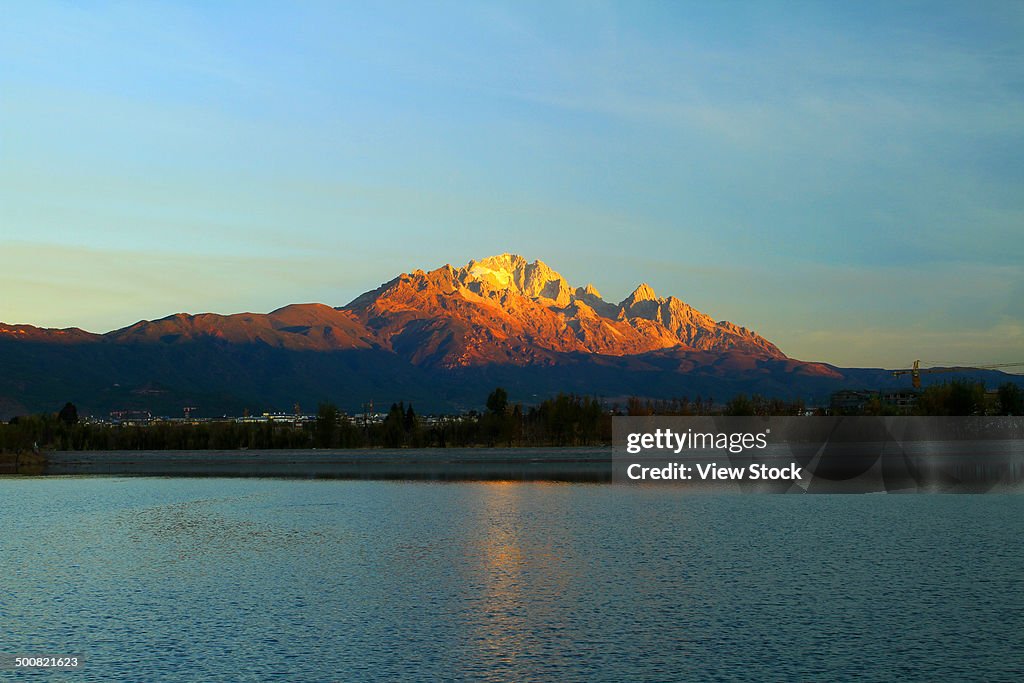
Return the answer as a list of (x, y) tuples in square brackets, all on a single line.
[(505, 309)]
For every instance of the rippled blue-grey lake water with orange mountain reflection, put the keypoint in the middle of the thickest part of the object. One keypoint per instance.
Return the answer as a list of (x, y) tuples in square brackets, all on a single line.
[(152, 579)]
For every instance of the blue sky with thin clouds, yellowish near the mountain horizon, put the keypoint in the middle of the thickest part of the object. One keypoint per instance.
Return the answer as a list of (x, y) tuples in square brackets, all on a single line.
[(844, 179)]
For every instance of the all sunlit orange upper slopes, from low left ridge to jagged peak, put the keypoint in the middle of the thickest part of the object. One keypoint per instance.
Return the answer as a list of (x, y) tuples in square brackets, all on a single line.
[(502, 310)]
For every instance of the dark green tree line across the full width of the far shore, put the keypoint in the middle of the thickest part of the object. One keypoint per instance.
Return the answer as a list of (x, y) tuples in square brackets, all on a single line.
[(562, 421)]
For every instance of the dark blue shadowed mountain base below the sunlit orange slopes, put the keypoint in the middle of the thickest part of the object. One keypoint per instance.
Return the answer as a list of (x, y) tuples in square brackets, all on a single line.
[(221, 378)]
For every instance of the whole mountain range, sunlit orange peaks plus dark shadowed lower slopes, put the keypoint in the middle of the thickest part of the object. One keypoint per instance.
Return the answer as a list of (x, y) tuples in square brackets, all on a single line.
[(442, 338)]
